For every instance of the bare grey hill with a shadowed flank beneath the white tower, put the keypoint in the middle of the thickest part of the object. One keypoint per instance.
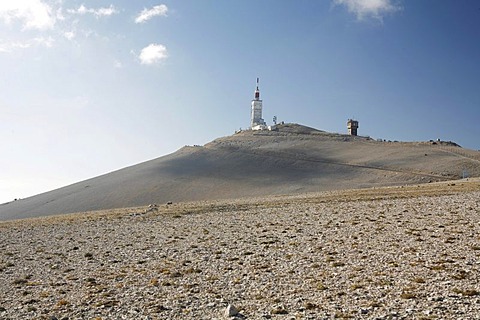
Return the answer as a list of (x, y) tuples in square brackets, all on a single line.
[(294, 159)]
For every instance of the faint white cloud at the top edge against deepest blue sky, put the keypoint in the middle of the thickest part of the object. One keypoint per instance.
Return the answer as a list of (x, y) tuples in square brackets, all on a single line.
[(369, 8)]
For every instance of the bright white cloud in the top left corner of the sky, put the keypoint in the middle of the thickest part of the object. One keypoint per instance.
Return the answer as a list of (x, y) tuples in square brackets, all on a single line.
[(33, 14)]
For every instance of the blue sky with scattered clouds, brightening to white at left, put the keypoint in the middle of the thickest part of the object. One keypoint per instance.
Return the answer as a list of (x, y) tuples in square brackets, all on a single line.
[(92, 86)]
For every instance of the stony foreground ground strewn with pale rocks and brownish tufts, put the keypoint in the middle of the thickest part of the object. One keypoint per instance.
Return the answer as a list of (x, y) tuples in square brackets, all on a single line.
[(393, 253)]
